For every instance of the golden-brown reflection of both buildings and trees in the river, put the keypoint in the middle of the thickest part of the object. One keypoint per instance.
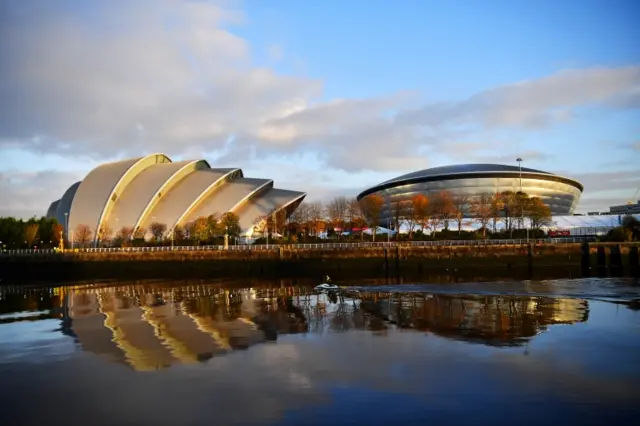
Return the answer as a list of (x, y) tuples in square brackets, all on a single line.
[(150, 327)]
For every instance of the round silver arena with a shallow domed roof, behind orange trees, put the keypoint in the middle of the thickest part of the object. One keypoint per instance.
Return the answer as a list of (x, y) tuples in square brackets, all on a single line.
[(560, 193)]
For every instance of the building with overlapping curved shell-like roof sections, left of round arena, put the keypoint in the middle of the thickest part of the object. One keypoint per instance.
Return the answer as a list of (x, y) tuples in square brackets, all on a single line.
[(139, 191)]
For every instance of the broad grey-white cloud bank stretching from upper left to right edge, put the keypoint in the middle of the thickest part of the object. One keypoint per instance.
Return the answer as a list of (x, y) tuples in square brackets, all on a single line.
[(123, 78)]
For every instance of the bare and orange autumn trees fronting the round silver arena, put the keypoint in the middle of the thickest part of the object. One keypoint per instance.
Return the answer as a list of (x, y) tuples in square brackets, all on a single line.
[(421, 214)]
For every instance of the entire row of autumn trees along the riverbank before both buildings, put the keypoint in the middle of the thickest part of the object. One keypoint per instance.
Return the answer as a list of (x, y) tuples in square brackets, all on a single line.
[(439, 216)]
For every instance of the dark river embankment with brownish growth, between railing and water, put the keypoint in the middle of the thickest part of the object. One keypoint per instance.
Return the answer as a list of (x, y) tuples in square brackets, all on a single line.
[(463, 262)]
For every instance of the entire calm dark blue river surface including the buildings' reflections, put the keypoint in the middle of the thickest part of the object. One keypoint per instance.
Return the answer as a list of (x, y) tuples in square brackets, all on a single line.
[(277, 353)]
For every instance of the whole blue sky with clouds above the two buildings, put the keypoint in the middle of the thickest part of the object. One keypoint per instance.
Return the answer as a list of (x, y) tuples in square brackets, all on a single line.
[(327, 97)]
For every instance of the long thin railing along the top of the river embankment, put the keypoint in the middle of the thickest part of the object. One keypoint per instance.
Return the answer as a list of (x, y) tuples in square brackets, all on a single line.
[(319, 246)]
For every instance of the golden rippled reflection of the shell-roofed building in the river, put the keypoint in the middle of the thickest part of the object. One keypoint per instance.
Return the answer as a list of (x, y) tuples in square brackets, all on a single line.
[(154, 333)]
